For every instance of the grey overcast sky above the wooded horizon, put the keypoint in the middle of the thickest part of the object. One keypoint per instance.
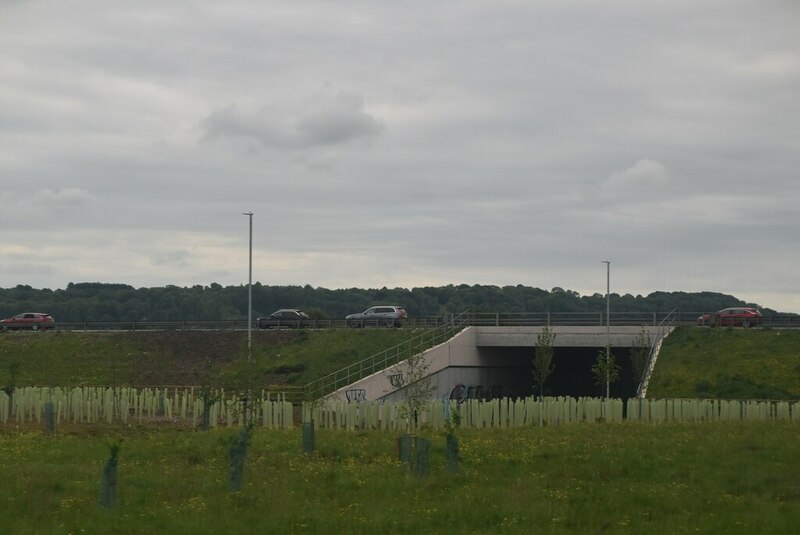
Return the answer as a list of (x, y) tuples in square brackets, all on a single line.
[(403, 144)]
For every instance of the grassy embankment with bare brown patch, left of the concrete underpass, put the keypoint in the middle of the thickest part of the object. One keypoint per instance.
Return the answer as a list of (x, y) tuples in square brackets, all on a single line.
[(184, 358)]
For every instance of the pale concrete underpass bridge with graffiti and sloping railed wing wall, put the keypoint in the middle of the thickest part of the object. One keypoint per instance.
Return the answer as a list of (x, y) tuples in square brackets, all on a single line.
[(496, 360)]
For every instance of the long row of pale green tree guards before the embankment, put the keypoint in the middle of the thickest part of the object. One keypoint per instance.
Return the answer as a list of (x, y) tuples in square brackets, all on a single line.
[(217, 408)]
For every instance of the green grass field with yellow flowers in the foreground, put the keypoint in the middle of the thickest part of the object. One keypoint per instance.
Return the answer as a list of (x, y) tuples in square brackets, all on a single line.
[(583, 478)]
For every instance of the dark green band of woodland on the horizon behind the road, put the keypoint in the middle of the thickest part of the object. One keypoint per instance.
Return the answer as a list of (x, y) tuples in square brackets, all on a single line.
[(93, 301)]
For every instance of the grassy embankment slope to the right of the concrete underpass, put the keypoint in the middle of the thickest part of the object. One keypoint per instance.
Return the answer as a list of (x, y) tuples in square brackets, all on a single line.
[(728, 363)]
